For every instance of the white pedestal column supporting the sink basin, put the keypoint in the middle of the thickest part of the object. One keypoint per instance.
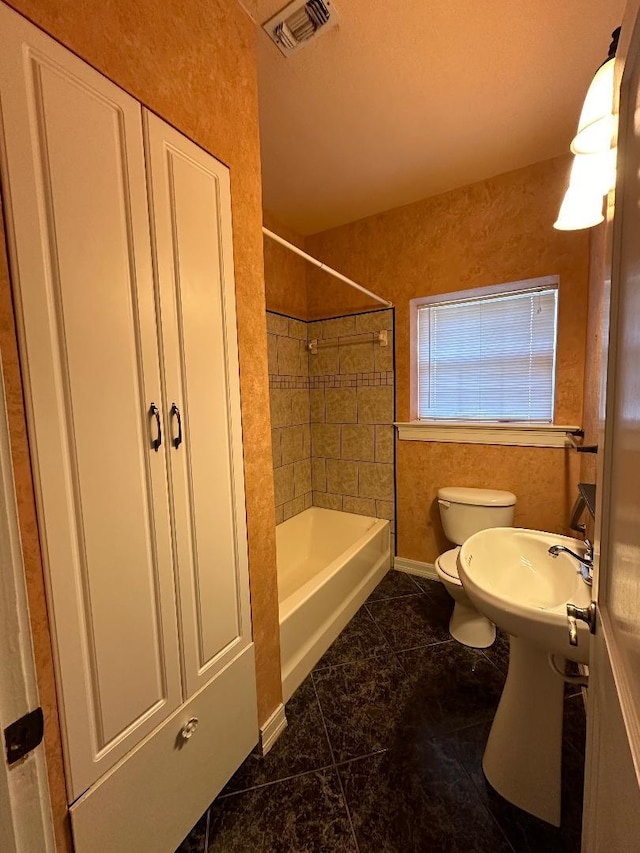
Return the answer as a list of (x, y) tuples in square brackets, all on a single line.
[(523, 757)]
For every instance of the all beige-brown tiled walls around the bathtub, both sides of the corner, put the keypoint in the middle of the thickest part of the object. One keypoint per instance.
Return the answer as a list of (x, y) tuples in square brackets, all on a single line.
[(349, 392)]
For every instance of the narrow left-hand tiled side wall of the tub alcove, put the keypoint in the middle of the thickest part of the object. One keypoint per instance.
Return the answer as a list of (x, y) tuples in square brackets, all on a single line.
[(290, 414)]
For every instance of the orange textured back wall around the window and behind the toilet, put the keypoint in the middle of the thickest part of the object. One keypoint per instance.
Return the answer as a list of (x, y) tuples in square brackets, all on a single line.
[(498, 230)]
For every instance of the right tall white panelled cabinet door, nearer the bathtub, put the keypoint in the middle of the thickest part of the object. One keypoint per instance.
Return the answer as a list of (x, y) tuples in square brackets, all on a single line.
[(191, 210)]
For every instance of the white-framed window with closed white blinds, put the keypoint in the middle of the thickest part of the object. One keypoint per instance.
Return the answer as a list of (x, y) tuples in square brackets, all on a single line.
[(488, 354)]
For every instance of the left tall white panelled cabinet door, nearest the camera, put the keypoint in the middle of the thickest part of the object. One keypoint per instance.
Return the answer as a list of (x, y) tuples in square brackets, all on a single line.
[(74, 185)]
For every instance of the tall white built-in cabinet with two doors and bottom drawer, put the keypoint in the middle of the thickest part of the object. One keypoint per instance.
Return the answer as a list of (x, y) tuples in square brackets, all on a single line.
[(121, 259)]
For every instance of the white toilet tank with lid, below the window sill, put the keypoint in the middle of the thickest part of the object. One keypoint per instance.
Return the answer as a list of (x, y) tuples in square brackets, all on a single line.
[(466, 511)]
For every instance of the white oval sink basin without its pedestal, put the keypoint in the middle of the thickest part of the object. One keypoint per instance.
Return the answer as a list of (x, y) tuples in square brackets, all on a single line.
[(510, 576)]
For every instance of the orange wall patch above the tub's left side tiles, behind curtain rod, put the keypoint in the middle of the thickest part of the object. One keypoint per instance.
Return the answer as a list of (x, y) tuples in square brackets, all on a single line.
[(284, 272)]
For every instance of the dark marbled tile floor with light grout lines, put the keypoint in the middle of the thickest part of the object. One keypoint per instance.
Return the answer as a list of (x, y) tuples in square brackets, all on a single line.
[(384, 746)]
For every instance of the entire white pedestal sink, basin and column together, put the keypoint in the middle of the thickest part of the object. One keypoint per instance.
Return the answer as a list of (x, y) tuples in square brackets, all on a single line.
[(510, 576)]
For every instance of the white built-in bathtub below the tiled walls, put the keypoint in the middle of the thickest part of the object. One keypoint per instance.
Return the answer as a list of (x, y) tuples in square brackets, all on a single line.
[(328, 563)]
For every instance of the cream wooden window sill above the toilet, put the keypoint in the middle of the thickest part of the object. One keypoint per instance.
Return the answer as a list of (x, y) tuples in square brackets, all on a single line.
[(458, 432)]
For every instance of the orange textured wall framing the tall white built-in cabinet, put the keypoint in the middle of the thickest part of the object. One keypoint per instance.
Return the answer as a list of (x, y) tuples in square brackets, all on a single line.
[(194, 64)]
